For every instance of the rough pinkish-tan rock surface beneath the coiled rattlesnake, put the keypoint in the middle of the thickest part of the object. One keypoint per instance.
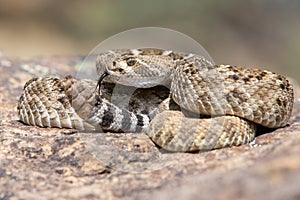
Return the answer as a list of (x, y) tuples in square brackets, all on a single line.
[(37, 163)]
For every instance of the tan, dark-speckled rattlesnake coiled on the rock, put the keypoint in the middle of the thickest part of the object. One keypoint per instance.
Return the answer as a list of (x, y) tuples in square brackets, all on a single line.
[(232, 99)]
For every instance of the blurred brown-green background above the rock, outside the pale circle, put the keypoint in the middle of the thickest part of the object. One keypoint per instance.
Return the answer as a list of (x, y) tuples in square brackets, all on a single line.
[(260, 33)]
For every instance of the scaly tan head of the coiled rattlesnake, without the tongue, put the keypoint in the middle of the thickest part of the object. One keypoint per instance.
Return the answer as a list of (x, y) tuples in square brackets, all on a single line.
[(140, 68)]
